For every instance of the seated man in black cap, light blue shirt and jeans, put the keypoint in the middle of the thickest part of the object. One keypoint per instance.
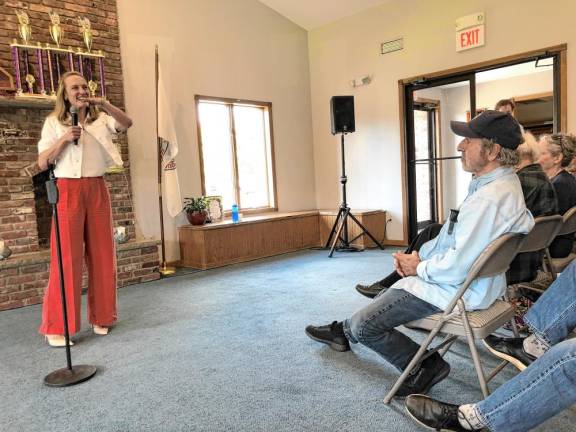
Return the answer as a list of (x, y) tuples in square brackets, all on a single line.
[(494, 206)]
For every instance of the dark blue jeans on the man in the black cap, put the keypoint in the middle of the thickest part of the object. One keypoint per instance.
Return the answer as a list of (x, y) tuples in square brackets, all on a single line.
[(374, 325)]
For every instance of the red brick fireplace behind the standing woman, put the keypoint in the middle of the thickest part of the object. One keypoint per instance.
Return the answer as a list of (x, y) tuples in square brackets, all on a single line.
[(25, 216)]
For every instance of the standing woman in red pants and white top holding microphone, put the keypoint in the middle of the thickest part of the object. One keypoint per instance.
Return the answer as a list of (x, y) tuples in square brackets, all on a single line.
[(80, 155)]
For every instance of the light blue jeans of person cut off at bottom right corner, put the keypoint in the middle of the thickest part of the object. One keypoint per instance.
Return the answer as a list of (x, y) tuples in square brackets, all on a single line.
[(548, 385)]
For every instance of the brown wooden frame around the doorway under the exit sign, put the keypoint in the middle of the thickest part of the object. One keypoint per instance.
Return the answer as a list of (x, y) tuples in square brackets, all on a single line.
[(560, 105)]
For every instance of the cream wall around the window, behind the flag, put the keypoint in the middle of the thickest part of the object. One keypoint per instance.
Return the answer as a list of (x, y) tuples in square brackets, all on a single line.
[(227, 48)]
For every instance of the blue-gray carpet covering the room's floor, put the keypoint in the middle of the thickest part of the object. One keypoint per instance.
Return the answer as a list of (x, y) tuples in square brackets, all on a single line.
[(223, 350)]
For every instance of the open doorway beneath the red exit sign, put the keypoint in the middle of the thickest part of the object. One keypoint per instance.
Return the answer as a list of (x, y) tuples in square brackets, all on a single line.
[(434, 180)]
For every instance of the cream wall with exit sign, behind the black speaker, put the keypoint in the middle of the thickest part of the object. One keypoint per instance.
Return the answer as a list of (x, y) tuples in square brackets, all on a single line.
[(350, 48)]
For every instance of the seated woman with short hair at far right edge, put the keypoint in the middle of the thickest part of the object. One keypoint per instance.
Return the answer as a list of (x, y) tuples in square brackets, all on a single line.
[(556, 153)]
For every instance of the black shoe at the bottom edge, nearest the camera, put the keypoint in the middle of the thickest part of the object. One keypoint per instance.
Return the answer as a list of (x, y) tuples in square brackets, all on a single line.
[(433, 414)]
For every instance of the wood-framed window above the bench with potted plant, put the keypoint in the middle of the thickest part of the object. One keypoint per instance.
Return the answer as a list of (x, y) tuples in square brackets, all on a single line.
[(236, 152)]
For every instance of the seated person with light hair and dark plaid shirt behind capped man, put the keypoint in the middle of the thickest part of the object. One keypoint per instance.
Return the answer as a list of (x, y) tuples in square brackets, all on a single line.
[(540, 198)]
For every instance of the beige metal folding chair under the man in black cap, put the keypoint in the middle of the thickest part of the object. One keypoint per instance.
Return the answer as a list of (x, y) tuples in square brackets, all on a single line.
[(455, 321)]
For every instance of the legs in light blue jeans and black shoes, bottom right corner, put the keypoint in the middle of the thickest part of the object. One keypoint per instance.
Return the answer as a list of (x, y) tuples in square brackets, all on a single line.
[(542, 390)]
